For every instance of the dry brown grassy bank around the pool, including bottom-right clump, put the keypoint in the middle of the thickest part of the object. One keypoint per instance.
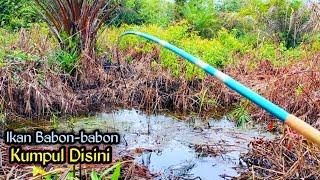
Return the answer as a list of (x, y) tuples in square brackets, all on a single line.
[(34, 90)]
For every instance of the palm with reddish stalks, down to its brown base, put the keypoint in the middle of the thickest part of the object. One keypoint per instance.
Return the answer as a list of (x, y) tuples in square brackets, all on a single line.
[(76, 24)]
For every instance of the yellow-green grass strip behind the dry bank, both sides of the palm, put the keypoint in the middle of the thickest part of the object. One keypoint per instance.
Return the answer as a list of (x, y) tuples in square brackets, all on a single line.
[(226, 48)]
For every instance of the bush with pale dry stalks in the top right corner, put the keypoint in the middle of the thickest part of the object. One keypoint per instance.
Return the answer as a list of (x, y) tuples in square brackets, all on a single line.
[(284, 21)]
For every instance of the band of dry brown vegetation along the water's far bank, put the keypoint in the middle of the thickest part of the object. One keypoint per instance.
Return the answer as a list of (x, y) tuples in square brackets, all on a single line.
[(30, 89)]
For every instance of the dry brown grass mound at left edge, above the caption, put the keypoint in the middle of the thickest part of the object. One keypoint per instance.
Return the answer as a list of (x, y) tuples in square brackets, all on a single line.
[(31, 90)]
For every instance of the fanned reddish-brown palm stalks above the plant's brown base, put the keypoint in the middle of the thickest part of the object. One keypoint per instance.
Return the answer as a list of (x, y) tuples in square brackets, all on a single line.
[(75, 23)]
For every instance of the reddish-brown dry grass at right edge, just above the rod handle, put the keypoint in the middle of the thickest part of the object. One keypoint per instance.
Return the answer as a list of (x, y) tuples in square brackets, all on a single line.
[(294, 87)]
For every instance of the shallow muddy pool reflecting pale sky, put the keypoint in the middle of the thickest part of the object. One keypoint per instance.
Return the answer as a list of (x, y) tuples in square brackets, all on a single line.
[(170, 147)]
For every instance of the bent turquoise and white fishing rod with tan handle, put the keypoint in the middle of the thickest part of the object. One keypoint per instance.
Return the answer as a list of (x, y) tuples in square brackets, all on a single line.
[(311, 133)]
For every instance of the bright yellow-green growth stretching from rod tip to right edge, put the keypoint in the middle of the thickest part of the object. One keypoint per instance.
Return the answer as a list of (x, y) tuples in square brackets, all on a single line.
[(225, 49)]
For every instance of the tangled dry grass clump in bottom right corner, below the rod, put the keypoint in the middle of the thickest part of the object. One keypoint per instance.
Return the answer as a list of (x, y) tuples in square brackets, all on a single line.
[(283, 158)]
